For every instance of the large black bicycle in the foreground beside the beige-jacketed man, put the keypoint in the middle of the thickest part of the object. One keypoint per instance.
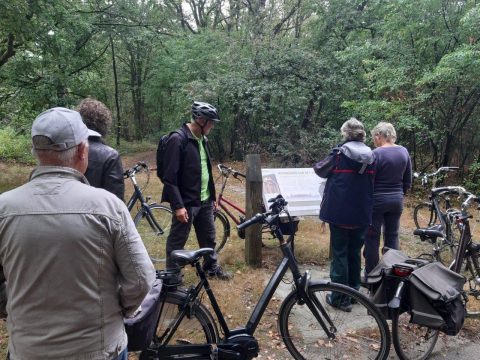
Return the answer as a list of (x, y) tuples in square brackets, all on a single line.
[(309, 327)]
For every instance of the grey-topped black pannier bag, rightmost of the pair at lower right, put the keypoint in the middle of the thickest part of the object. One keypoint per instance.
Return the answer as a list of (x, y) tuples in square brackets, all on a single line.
[(435, 295)]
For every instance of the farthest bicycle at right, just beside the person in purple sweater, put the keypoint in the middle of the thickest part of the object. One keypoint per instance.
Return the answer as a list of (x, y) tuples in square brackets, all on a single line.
[(425, 214)]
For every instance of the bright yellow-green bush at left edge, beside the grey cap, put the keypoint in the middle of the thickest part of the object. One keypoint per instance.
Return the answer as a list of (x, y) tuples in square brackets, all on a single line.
[(14, 146)]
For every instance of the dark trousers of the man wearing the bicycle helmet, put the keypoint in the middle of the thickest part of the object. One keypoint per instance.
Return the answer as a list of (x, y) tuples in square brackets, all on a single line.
[(201, 218)]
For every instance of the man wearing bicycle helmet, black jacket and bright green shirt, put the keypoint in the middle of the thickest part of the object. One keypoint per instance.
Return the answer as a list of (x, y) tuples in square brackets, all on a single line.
[(189, 187)]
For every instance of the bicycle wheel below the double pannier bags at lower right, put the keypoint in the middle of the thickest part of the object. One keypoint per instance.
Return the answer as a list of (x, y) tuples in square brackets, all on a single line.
[(412, 341)]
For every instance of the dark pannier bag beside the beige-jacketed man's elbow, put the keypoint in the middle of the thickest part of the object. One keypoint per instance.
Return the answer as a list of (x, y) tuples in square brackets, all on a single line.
[(141, 327)]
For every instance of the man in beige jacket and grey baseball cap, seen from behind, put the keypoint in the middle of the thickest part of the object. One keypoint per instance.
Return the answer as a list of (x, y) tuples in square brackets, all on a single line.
[(72, 259)]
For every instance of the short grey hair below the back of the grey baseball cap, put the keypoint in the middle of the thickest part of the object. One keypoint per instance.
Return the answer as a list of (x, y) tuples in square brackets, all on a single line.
[(59, 158)]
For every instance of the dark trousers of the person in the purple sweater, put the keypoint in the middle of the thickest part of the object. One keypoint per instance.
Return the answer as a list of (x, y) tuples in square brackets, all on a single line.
[(387, 209)]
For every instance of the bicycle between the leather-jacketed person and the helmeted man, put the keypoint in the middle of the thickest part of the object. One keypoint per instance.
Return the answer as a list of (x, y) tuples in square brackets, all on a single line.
[(152, 220)]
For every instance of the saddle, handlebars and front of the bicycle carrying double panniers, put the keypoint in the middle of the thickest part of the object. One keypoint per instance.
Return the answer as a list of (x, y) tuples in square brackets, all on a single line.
[(467, 253)]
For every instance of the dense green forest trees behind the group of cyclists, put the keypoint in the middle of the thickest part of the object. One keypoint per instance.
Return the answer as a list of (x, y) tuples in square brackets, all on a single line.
[(285, 74)]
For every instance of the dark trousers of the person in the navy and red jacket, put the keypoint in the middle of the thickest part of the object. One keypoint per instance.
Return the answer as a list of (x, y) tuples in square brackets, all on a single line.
[(346, 246)]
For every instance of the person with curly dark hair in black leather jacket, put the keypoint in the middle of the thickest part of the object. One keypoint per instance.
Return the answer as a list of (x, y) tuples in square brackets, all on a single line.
[(104, 165)]
